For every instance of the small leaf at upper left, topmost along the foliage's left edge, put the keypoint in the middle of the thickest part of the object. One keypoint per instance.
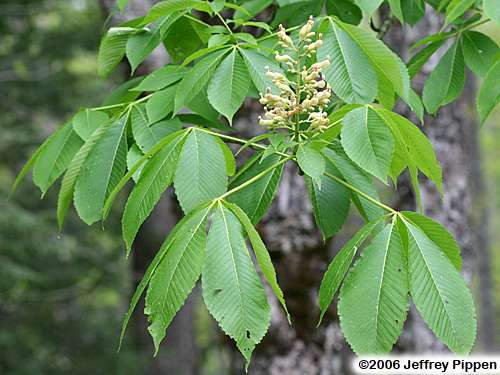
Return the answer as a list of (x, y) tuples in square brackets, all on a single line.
[(112, 48)]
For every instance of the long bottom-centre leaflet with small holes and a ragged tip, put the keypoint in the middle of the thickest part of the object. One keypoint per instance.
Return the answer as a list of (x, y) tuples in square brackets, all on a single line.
[(232, 290)]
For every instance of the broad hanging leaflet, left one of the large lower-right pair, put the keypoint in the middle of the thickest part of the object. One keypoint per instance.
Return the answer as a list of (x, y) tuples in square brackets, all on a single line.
[(373, 301)]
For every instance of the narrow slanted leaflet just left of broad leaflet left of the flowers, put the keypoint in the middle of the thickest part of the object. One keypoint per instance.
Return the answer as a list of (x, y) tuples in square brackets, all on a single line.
[(197, 78)]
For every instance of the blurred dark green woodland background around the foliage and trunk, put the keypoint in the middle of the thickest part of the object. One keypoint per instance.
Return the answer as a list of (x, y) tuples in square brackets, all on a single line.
[(62, 297)]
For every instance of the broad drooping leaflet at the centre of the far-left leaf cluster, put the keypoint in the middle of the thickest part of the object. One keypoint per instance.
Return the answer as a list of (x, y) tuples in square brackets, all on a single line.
[(101, 171)]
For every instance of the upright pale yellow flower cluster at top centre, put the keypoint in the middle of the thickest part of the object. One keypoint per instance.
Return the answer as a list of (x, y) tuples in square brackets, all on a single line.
[(303, 99)]
